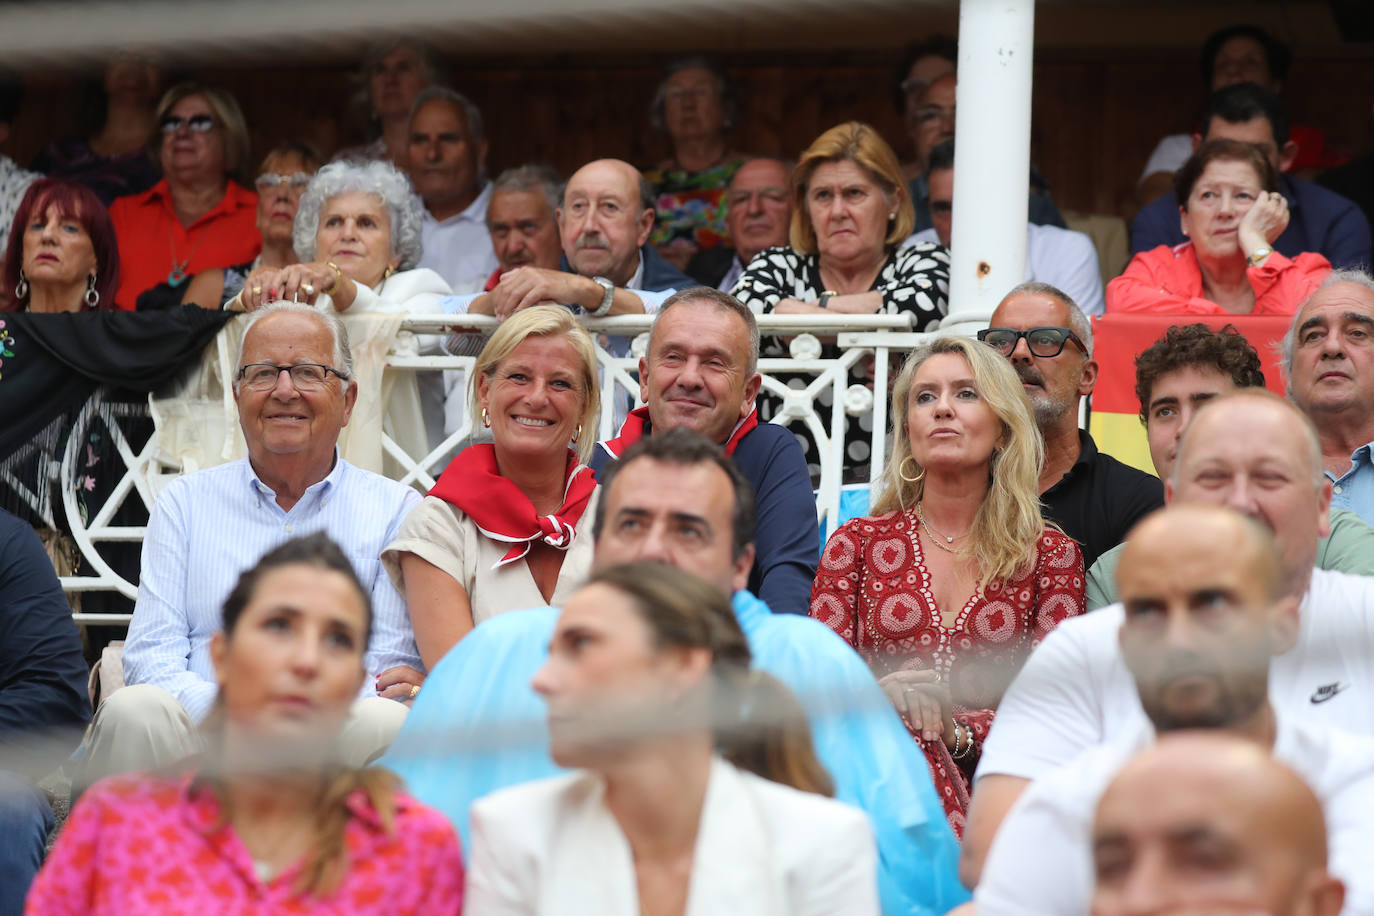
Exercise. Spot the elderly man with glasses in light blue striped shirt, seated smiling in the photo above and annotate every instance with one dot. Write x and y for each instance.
(295, 391)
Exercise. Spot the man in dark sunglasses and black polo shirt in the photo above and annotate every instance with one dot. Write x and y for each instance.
(1092, 496)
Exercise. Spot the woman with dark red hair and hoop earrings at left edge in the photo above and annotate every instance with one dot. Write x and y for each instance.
(63, 253)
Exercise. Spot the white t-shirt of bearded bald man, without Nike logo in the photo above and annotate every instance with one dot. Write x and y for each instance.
(1041, 863)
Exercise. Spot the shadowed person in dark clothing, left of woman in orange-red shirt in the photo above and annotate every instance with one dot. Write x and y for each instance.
(112, 156)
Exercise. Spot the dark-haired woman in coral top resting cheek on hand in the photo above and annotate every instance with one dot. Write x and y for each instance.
(1232, 211)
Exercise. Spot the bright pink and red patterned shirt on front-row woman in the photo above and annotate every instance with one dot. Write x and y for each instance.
(144, 847)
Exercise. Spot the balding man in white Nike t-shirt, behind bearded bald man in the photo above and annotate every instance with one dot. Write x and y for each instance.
(1258, 454)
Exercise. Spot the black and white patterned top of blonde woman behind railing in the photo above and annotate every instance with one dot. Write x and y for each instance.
(913, 279)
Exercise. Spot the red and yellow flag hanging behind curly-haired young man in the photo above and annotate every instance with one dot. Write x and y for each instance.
(1115, 415)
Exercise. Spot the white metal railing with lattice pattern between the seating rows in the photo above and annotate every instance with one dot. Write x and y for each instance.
(620, 344)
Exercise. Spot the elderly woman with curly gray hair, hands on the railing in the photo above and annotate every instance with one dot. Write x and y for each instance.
(358, 234)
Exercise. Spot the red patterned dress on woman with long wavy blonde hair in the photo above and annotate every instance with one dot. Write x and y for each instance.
(873, 588)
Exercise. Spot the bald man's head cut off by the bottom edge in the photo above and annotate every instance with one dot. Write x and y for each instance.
(1180, 830)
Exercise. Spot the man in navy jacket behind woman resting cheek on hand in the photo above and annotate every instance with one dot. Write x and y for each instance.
(1322, 220)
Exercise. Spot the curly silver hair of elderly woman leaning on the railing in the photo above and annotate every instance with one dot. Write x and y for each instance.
(381, 179)
